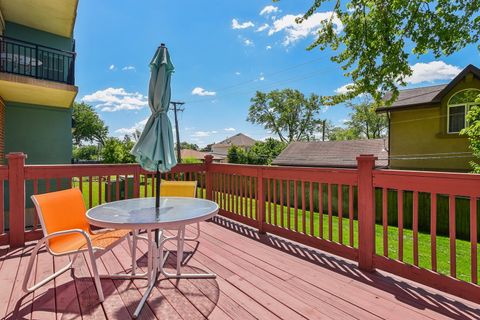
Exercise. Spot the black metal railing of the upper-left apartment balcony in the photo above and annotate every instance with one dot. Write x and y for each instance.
(37, 61)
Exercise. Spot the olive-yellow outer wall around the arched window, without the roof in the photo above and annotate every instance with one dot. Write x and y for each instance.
(422, 133)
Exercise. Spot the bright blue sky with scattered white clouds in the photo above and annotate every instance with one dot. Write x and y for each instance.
(223, 52)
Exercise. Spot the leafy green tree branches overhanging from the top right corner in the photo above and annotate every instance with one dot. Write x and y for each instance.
(373, 40)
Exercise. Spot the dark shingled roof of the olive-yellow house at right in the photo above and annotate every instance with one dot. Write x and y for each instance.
(425, 96)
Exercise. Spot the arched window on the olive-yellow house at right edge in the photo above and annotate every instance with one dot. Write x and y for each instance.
(458, 106)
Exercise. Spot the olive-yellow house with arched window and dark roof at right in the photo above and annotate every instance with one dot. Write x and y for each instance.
(425, 124)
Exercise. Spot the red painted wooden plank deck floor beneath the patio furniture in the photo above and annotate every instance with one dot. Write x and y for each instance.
(259, 277)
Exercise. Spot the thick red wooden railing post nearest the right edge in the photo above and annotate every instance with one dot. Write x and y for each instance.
(366, 212)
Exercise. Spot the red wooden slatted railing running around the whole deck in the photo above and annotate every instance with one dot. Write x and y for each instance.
(334, 210)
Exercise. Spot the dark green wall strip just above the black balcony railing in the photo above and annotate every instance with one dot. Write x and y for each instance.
(24, 33)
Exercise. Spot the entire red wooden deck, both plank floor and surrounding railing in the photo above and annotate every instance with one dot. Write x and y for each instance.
(289, 243)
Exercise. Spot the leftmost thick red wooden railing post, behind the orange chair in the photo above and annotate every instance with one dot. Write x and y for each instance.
(16, 181)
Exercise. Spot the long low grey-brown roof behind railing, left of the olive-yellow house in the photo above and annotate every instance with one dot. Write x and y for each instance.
(332, 153)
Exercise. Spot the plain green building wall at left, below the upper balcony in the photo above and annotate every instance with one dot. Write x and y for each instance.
(43, 133)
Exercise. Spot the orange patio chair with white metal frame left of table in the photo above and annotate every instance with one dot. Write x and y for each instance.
(67, 232)
